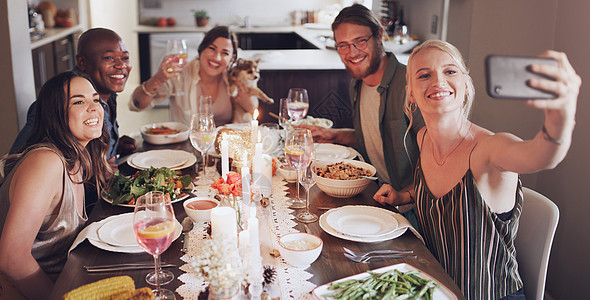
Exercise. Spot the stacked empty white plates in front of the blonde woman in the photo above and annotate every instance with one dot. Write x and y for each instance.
(365, 224)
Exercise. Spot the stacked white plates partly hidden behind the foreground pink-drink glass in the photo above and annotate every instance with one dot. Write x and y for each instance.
(116, 234)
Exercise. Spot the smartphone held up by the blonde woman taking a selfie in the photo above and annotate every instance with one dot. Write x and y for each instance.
(507, 77)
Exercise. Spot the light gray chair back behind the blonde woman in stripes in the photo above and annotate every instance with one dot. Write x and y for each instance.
(538, 222)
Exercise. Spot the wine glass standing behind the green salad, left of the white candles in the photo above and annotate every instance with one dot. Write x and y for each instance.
(202, 136)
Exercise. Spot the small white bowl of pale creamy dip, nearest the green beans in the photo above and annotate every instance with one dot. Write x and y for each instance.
(300, 249)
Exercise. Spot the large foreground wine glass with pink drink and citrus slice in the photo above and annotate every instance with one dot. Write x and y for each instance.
(153, 225)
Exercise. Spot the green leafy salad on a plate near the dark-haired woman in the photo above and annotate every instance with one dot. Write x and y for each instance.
(124, 190)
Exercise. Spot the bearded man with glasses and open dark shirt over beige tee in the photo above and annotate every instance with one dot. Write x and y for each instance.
(377, 92)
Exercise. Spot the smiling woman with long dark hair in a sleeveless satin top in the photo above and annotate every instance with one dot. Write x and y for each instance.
(42, 195)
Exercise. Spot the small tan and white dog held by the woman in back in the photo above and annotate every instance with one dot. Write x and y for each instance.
(245, 74)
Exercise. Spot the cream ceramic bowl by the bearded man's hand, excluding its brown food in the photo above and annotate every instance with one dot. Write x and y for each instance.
(344, 188)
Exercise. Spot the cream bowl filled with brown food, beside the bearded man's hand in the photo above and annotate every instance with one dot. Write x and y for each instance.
(343, 178)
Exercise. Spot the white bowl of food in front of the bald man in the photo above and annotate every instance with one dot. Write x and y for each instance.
(164, 133)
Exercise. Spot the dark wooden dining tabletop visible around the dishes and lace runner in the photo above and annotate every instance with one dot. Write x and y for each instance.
(331, 264)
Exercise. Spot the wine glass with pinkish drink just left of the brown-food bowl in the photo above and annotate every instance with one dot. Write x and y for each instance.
(298, 149)
